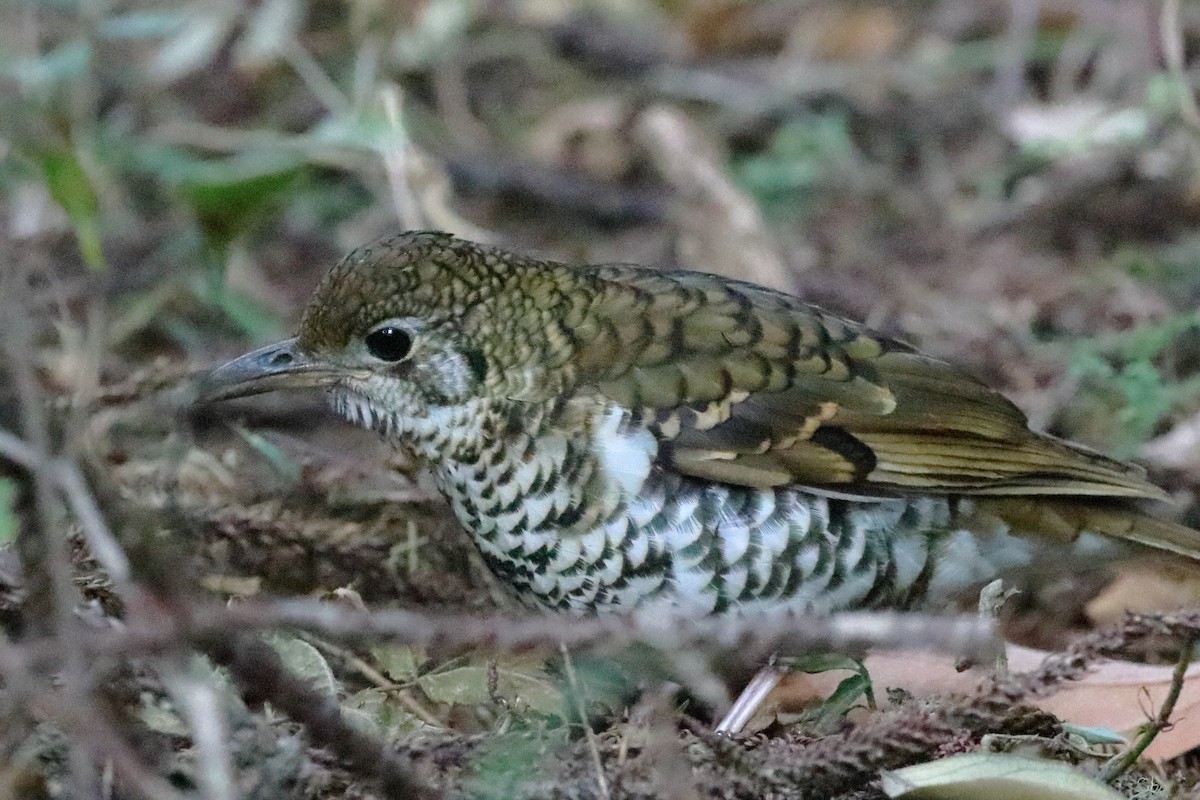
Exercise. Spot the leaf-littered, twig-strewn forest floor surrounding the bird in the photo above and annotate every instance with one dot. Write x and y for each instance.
(263, 601)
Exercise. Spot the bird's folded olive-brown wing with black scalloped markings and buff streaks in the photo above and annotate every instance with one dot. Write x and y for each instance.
(751, 387)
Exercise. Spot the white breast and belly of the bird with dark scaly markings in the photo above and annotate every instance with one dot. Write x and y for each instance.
(587, 521)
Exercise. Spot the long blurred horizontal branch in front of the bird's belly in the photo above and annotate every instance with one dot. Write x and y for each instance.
(747, 642)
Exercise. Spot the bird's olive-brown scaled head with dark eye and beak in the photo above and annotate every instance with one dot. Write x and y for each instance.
(413, 332)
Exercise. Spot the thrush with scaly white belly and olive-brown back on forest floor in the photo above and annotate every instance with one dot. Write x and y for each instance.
(617, 437)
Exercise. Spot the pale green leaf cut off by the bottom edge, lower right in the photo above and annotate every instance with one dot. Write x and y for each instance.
(994, 777)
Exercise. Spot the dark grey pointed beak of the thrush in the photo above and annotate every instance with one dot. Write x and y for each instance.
(266, 370)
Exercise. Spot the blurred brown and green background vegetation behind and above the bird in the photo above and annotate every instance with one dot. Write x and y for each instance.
(191, 169)
